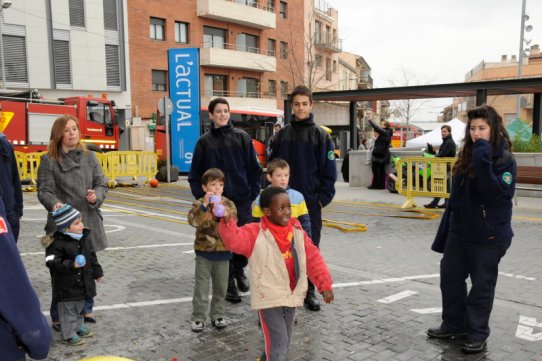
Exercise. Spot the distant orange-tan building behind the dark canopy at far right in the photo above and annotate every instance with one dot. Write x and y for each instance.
(506, 68)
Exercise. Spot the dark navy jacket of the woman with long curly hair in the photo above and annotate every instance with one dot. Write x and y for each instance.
(480, 207)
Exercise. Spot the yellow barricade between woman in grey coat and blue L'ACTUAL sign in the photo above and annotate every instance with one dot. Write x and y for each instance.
(129, 164)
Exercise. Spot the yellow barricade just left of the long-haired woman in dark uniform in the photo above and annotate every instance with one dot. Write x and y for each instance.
(425, 177)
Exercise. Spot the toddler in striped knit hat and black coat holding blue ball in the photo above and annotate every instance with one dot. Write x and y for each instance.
(74, 269)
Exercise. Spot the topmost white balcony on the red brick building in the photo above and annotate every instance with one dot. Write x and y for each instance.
(251, 15)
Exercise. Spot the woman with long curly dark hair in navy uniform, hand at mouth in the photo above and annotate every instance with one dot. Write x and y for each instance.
(475, 230)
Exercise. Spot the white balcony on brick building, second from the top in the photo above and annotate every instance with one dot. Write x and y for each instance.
(237, 57)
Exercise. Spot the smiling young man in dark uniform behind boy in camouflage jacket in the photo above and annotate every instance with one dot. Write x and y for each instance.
(230, 150)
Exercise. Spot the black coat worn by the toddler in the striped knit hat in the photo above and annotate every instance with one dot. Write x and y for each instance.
(70, 283)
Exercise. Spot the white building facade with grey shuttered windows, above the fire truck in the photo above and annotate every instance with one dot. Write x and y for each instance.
(66, 48)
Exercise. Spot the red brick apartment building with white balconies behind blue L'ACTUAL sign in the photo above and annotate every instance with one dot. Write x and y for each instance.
(246, 48)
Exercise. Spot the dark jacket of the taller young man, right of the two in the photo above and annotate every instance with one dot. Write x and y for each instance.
(308, 149)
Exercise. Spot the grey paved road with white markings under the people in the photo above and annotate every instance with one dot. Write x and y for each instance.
(386, 285)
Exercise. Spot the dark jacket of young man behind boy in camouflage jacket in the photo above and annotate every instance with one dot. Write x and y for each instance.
(230, 150)
